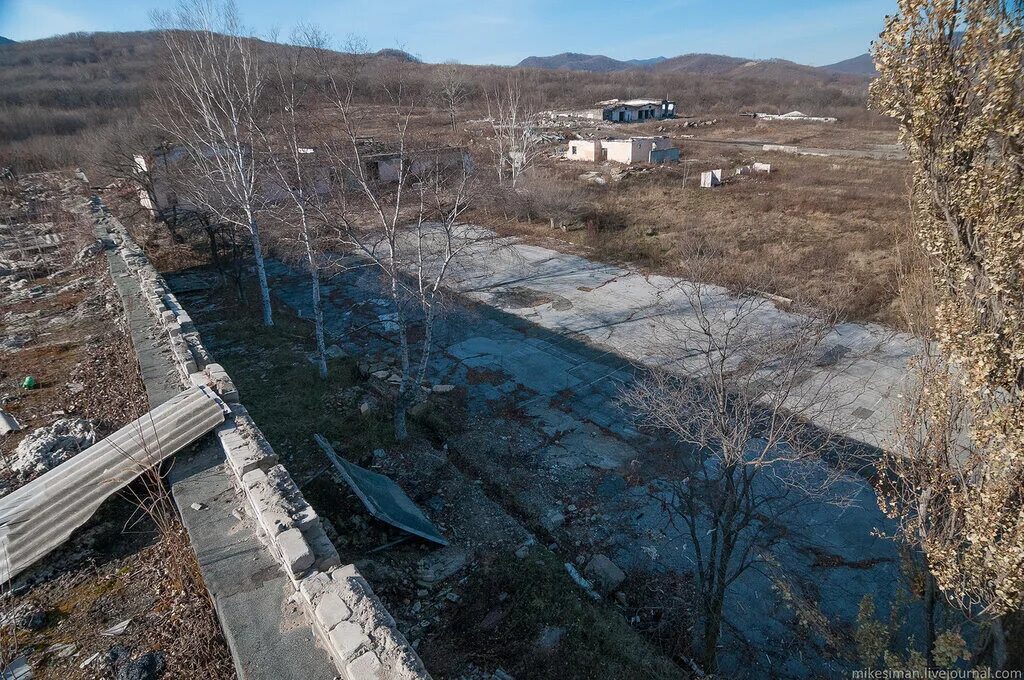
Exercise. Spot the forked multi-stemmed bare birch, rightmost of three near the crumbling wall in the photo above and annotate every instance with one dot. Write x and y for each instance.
(399, 208)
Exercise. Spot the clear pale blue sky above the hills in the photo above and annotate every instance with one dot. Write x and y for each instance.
(815, 32)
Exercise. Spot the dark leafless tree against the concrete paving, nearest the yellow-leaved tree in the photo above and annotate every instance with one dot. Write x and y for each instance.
(741, 394)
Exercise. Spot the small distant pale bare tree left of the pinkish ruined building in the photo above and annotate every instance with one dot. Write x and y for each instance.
(515, 144)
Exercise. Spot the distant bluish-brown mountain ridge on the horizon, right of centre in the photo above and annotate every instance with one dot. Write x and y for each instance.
(719, 65)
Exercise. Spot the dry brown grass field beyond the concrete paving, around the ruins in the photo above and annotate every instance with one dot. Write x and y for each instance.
(823, 231)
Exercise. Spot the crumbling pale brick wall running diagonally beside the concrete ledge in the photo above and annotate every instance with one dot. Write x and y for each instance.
(347, 617)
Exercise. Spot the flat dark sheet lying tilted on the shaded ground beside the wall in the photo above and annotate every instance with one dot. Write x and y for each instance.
(383, 498)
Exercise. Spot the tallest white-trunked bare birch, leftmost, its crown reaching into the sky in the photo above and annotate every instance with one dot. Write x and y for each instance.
(214, 107)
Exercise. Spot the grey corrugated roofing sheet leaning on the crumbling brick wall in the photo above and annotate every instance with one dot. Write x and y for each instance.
(39, 517)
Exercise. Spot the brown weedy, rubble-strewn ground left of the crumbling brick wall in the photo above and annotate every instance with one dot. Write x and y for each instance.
(68, 334)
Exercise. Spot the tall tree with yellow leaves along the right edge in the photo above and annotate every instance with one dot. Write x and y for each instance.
(952, 74)
